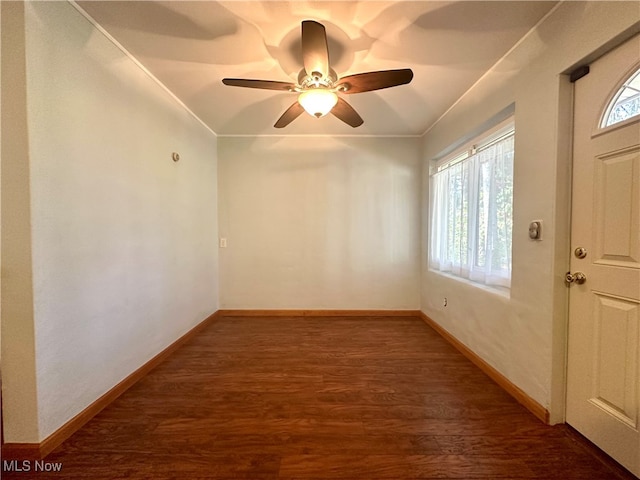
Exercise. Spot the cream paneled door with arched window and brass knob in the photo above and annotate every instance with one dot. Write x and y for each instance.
(603, 385)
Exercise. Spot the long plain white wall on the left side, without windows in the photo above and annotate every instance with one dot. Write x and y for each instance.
(122, 239)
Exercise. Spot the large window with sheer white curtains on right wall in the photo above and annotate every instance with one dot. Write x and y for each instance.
(471, 210)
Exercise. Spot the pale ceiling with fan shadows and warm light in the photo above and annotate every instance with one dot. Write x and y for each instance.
(191, 46)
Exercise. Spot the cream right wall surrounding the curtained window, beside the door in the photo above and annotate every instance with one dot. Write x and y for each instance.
(524, 336)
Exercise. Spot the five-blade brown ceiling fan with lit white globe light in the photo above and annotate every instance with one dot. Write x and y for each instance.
(318, 85)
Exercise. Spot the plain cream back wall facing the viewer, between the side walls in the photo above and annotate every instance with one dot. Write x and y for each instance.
(319, 222)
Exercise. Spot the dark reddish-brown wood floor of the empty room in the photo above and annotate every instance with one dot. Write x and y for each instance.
(321, 398)
